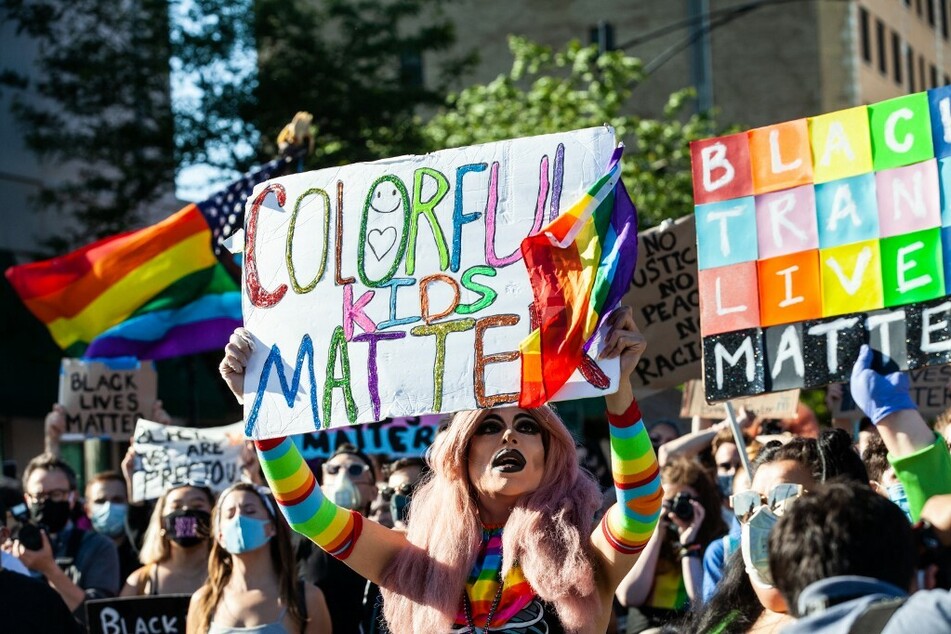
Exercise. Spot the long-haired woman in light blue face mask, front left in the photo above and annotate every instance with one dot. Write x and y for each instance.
(252, 585)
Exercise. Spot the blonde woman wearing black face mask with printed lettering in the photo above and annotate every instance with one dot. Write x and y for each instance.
(175, 549)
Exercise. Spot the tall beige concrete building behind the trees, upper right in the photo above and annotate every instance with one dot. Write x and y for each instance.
(756, 61)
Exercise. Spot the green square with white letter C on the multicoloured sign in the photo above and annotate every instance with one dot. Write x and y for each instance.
(901, 131)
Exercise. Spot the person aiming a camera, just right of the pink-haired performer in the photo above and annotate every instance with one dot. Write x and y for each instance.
(667, 578)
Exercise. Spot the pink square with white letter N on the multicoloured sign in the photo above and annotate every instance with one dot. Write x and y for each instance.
(908, 199)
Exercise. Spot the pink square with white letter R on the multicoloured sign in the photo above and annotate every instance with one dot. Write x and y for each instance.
(786, 222)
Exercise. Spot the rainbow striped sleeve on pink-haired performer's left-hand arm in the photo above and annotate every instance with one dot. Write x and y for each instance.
(308, 512)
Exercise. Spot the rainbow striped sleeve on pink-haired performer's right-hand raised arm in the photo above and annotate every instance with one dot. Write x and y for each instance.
(629, 524)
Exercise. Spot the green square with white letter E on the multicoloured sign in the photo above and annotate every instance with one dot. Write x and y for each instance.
(912, 269)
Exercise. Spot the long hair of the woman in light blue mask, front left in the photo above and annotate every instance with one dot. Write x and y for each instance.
(220, 566)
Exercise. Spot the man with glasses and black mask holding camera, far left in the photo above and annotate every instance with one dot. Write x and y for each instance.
(78, 564)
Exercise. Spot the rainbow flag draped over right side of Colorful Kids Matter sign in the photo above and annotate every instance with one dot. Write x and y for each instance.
(580, 266)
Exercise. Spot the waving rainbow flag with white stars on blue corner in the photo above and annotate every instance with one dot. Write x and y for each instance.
(155, 293)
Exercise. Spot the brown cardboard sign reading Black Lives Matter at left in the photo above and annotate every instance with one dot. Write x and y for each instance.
(106, 397)
